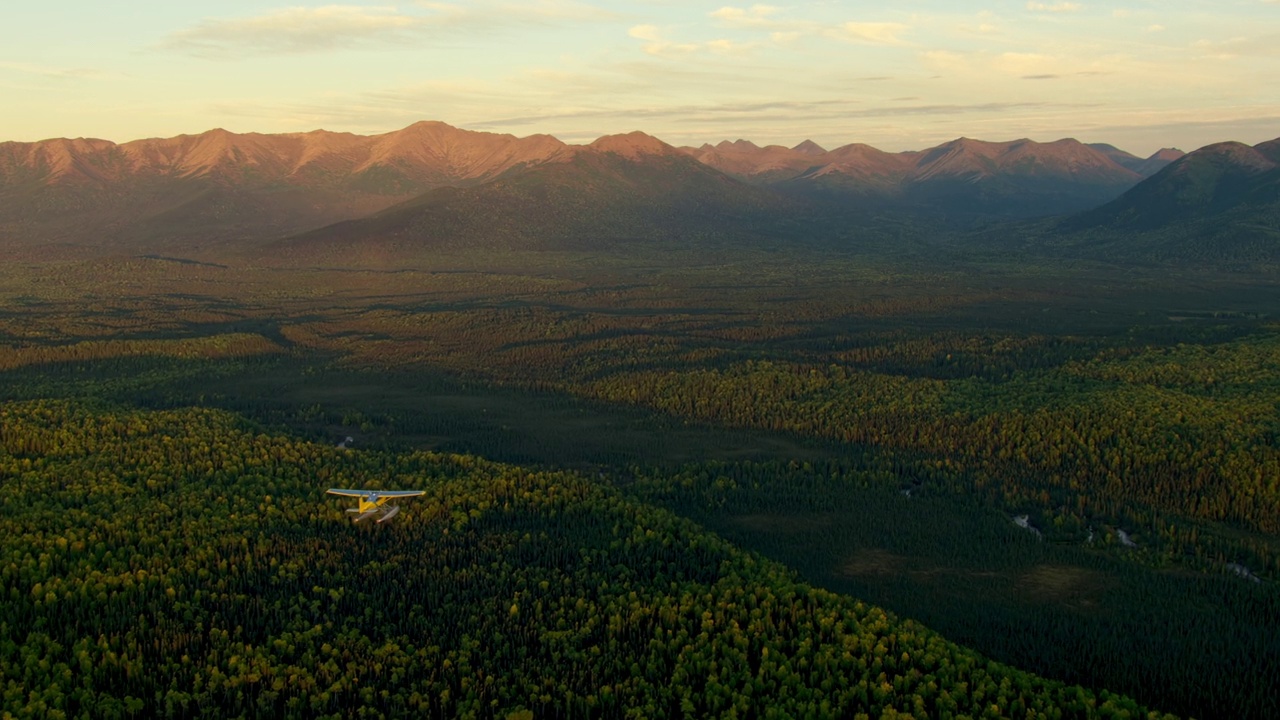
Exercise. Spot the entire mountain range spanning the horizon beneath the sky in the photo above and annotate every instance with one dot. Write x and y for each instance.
(437, 186)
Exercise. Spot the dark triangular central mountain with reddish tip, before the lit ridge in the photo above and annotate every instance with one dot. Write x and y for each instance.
(619, 190)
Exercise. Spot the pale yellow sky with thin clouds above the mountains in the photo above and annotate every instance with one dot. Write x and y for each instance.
(899, 76)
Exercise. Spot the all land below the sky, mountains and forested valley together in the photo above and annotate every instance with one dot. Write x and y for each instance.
(710, 432)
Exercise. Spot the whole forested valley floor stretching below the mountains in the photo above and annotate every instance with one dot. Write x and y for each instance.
(639, 477)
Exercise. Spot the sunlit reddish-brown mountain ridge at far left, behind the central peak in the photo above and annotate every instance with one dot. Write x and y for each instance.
(220, 185)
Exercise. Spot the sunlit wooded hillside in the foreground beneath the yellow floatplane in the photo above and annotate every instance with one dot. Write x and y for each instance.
(182, 564)
